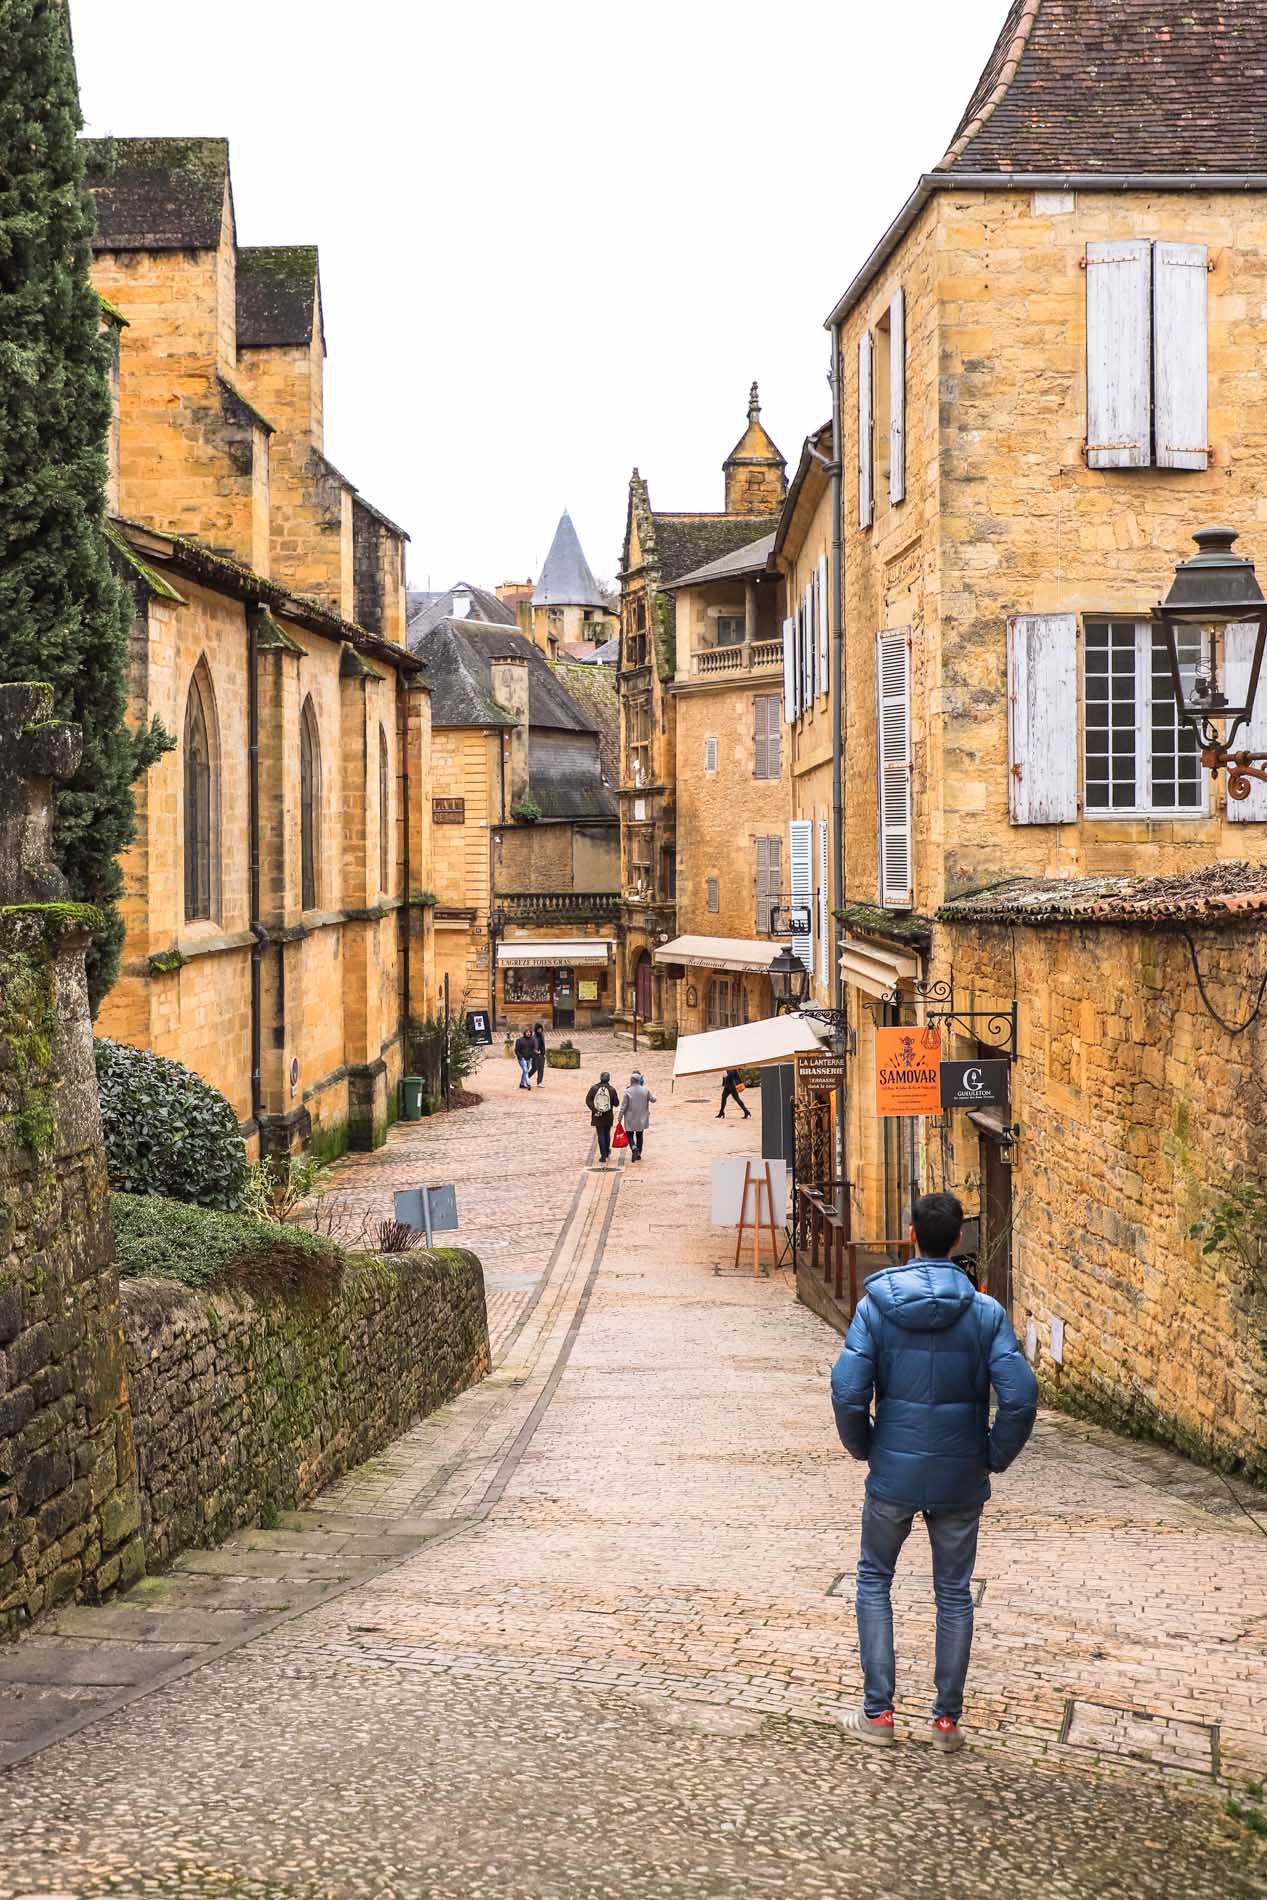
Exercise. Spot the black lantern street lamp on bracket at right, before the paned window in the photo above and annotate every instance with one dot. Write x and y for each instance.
(1213, 592)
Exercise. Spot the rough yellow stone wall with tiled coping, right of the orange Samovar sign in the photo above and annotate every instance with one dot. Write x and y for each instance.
(1135, 1109)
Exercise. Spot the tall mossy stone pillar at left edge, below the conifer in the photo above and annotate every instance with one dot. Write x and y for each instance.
(69, 1513)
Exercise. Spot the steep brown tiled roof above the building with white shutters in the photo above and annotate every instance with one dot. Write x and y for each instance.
(1160, 86)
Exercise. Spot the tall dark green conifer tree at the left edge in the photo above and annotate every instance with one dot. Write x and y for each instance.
(64, 617)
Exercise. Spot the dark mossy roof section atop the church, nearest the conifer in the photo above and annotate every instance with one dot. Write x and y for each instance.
(157, 195)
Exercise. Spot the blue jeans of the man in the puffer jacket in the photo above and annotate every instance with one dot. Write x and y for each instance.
(953, 1536)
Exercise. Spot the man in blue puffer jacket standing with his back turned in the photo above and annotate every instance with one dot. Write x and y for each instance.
(928, 1346)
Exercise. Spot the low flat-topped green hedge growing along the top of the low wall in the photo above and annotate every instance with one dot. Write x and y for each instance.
(206, 1247)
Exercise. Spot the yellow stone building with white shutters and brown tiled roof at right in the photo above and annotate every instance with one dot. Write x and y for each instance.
(1050, 375)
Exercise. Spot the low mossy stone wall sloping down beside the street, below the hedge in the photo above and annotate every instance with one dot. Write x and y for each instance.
(244, 1407)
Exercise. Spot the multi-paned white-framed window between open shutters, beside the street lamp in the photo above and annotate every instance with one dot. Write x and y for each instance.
(1139, 759)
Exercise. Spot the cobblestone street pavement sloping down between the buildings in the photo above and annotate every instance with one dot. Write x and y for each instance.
(586, 1631)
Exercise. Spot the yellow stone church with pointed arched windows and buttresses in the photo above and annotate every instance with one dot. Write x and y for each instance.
(274, 934)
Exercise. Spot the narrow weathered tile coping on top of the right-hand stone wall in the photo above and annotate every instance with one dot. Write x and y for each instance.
(1219, 894)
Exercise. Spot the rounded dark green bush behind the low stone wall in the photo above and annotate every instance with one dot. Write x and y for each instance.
(168, 1131)
